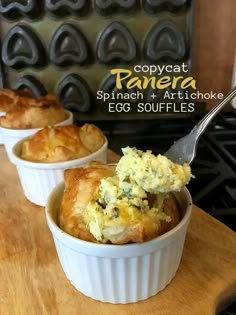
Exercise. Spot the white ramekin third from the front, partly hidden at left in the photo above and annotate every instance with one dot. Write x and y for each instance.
(12, 136)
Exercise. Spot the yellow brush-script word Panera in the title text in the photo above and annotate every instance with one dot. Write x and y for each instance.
(125, 78)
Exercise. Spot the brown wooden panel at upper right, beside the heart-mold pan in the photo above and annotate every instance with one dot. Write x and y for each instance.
(214, 51)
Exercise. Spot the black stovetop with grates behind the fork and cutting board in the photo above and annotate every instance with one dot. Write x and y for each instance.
(214, 188)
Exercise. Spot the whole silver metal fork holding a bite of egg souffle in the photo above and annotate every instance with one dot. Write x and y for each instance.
(184, 149)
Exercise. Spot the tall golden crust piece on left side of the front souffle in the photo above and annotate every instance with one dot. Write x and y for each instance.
(80, 186)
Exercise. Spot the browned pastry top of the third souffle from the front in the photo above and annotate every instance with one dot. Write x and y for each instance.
(34, 113)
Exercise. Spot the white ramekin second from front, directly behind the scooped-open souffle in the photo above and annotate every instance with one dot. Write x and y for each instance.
(38, 179)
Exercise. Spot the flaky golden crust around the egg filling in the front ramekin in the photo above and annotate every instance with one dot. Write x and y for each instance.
(81, 185)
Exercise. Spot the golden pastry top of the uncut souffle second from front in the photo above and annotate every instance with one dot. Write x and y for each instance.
(62, 143)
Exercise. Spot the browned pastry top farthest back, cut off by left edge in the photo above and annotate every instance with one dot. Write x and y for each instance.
(9, 98)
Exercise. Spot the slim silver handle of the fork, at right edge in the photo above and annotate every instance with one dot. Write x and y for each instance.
(204, 122)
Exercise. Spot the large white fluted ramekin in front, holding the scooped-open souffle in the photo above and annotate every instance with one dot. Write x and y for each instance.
(119, 273)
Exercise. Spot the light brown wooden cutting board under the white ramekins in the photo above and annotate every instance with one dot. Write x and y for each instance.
(32, 281)
